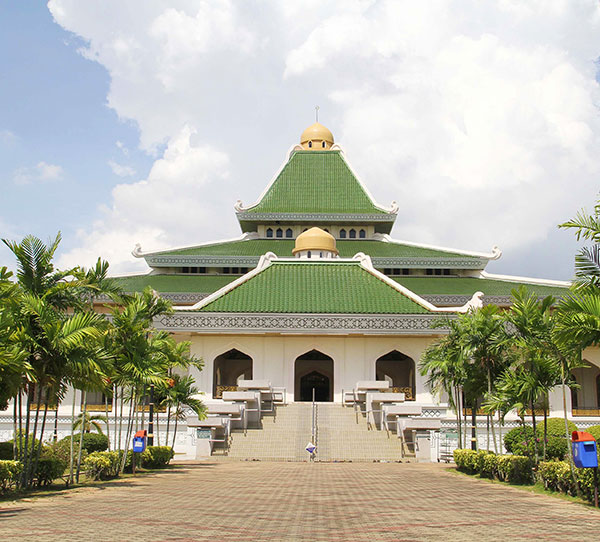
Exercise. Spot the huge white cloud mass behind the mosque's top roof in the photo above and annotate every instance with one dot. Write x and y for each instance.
(480, 118)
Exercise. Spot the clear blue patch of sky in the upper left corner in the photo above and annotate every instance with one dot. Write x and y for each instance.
(54, 111)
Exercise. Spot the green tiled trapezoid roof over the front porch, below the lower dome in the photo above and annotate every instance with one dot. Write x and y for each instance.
(303, 287)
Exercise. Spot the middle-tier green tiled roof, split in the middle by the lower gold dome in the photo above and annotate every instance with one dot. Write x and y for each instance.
(347, 248)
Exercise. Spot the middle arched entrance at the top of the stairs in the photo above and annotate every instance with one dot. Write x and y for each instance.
(313, 370)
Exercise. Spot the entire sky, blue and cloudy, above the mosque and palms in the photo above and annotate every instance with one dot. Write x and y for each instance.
(126, 122)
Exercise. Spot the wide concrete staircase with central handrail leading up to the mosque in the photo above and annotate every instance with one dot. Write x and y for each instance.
(283, 437)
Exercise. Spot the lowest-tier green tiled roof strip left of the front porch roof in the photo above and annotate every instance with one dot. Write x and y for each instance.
(175, 283)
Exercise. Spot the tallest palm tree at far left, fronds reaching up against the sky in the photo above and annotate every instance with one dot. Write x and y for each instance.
(52, 329)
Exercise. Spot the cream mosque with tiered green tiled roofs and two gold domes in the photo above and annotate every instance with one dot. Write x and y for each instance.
(315, 293)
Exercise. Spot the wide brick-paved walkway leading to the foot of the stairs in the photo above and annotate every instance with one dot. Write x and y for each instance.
(245, 501)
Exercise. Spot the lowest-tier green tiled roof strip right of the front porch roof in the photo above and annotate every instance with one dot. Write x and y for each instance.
(469, 285)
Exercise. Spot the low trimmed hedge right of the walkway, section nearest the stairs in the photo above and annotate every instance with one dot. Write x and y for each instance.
(515, 469)
